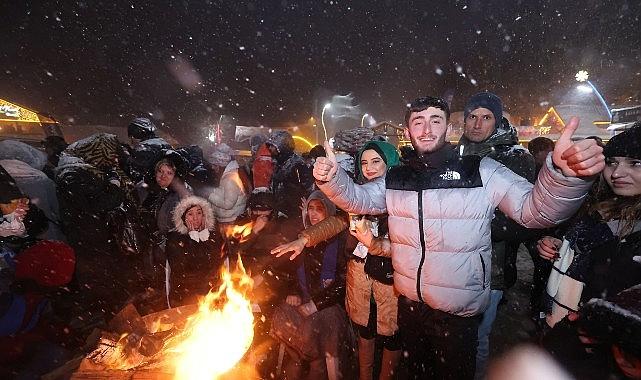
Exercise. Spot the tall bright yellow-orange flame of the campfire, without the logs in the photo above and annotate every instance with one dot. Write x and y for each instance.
(217, 336)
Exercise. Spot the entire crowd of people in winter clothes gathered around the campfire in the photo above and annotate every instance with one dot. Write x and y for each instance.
(366, 262)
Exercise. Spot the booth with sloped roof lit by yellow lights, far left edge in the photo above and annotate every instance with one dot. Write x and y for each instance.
(20, 123)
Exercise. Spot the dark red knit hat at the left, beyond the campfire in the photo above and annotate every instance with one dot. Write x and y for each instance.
(48, 263)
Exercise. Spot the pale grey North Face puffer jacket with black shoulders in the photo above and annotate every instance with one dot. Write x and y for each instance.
(439, 222)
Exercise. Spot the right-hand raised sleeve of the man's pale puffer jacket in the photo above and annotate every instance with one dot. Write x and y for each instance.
(551, 200)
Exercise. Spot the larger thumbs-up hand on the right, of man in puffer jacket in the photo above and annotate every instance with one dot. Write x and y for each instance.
(583, 158)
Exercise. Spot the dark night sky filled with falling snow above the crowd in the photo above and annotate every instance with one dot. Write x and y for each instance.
(272, 62)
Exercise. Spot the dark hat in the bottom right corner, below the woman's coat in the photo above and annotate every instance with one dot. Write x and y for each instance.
(616, 320)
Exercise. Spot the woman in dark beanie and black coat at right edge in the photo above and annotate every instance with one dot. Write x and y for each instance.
(599, 256)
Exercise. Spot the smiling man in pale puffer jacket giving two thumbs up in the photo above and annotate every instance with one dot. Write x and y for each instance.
(440, 207)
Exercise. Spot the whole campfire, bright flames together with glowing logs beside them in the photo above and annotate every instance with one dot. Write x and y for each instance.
(192, 343)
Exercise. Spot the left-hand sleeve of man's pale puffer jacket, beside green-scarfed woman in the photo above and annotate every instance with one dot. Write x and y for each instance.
(366, 199)
